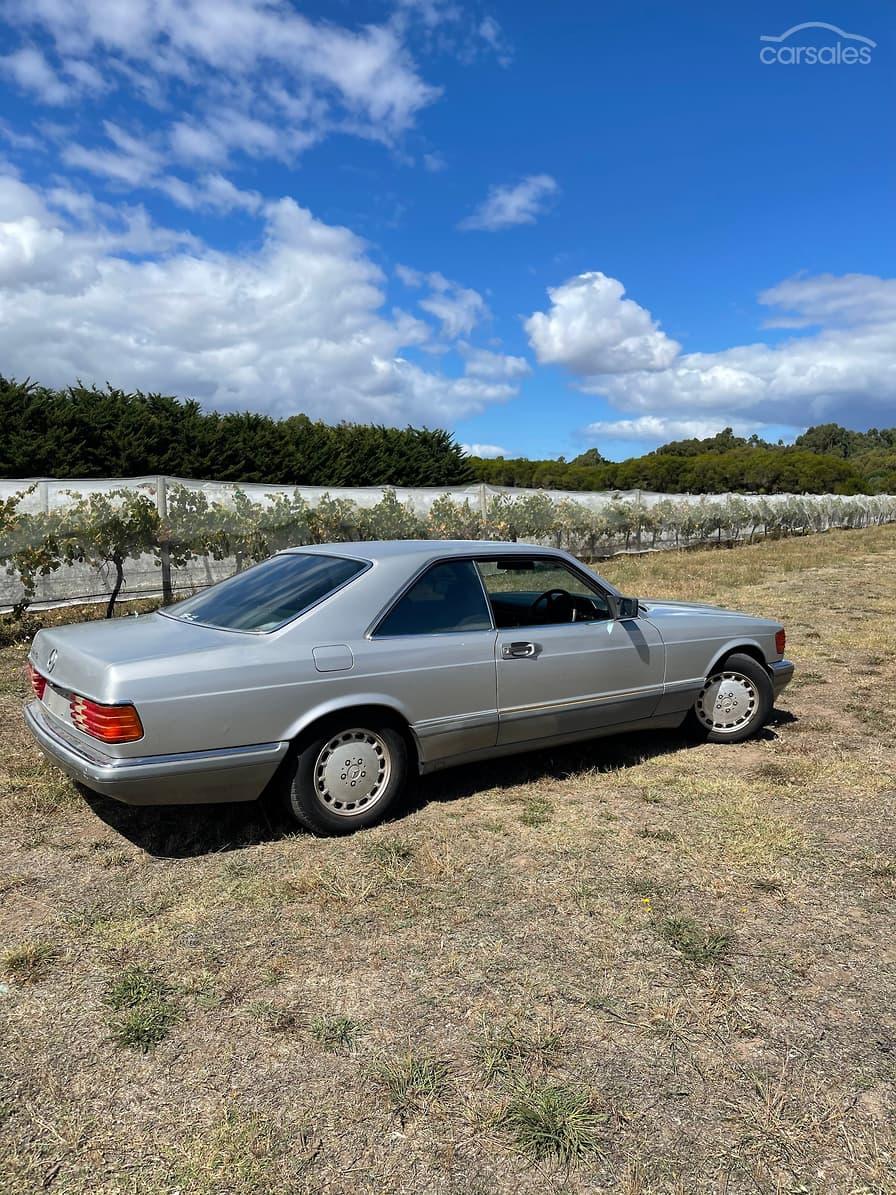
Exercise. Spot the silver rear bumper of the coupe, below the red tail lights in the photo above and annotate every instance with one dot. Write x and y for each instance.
(232, 774)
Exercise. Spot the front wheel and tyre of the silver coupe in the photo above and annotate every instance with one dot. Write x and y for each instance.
(735, 702)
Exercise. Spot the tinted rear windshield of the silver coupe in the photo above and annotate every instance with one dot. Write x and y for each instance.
(271, 595)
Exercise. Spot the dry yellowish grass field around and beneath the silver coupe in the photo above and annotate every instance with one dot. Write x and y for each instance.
(639, 966)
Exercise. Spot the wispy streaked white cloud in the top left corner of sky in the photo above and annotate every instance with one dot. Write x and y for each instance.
(231, 77)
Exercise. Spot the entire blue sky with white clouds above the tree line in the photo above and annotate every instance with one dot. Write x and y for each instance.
(544, 226)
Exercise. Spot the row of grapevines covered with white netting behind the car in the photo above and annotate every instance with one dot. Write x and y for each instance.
(179, 536)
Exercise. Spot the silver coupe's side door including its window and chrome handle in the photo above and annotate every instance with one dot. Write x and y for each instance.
(567, 669)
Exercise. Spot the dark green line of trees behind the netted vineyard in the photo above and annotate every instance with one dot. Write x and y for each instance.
(84, 432)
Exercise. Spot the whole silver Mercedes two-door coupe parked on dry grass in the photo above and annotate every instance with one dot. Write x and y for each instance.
(328, 675)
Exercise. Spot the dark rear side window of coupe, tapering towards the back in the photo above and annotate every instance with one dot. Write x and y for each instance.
(447, 598)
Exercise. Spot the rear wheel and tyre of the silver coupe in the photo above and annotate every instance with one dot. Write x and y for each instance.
(347, 776)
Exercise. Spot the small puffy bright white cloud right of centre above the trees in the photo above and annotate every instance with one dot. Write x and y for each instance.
(593, 329)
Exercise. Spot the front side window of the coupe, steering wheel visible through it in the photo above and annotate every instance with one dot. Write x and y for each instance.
(539, 592)
